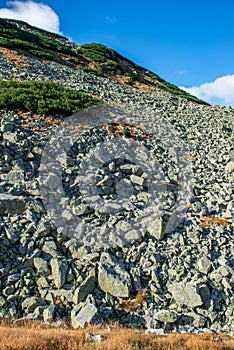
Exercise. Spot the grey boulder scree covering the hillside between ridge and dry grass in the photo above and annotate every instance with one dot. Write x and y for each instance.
(165, 280)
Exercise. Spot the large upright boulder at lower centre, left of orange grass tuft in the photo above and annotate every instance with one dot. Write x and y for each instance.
(112, 277)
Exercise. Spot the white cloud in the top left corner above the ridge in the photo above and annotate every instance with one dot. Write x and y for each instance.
(36, 14)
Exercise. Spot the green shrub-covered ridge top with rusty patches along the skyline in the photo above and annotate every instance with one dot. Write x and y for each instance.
(92, 58)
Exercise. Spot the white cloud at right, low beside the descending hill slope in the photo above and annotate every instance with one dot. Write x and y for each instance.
(219, 91)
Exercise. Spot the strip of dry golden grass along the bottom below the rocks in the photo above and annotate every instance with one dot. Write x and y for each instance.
(40, 337)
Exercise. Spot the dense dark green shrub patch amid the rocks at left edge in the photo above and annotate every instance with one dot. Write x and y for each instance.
(43, 97)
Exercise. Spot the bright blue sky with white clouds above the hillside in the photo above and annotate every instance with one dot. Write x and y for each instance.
(189, 43)
